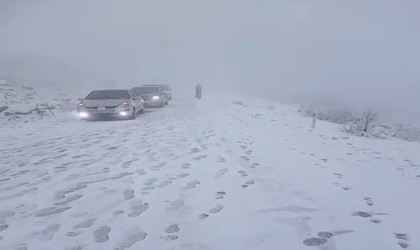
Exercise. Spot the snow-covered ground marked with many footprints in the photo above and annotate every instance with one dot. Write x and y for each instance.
(223, 173)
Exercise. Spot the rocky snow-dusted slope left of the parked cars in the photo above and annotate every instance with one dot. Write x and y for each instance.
(24, 103)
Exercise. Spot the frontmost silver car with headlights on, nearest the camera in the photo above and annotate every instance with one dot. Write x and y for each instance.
(110, 104)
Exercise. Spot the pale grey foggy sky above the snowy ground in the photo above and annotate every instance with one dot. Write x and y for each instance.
(355, 51)
